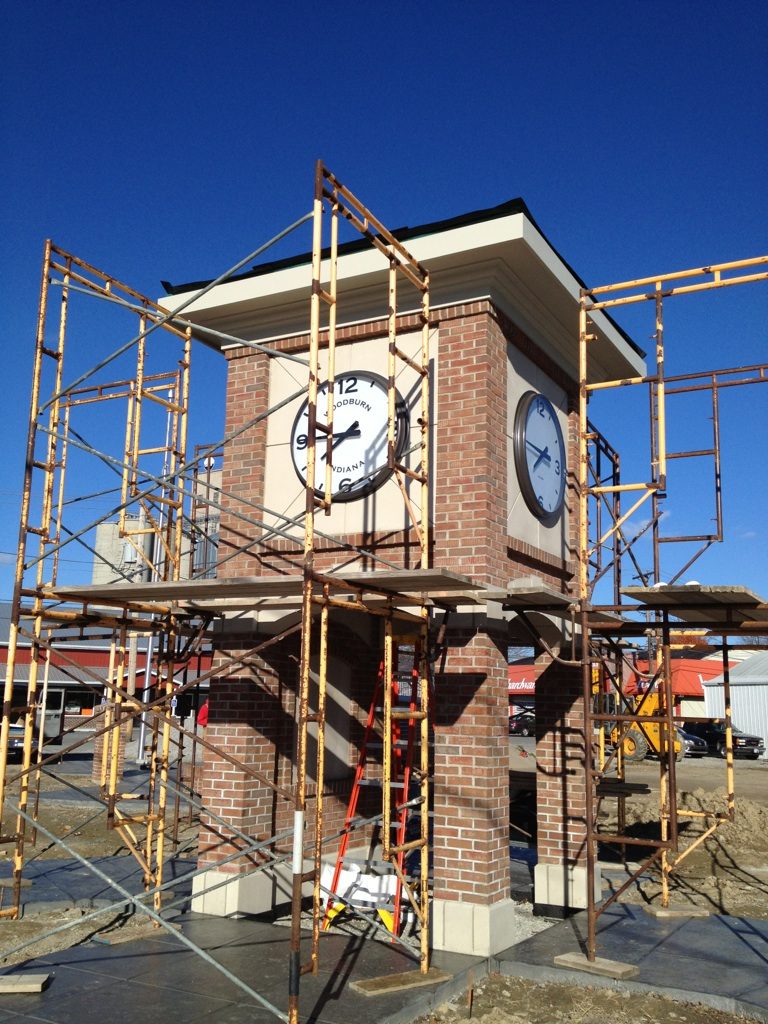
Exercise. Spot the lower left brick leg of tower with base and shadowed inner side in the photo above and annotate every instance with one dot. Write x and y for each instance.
(252, 717)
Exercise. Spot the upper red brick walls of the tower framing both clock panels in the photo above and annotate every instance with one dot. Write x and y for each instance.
(468, 457)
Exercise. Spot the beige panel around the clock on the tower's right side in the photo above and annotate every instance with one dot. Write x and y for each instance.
(523, 376)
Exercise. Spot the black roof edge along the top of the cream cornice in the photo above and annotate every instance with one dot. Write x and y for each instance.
(507, 209)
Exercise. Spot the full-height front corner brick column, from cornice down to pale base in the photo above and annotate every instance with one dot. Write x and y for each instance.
(472, 778)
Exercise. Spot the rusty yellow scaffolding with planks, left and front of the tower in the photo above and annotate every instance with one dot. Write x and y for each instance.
(167, 508)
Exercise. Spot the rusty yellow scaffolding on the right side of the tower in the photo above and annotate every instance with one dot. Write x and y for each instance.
(653, 611)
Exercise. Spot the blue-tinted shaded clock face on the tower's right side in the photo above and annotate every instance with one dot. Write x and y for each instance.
(540, 456)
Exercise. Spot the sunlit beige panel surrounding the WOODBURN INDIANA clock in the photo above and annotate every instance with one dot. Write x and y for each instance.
(284, 493)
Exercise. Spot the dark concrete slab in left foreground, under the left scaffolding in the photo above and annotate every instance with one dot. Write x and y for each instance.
(159, 980)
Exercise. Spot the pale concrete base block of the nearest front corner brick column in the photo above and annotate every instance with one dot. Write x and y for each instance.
(480, 930)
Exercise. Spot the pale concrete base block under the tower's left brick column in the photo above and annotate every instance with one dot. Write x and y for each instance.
(259, 893)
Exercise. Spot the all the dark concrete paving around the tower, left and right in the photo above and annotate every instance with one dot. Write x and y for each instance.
(719, 962)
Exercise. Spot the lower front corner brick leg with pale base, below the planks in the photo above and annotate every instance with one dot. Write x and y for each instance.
(472, 793)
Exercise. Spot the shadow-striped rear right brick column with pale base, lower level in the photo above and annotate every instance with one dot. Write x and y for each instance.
(561, 877)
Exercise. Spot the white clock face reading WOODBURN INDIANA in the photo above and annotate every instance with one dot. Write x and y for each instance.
(360, 438)
